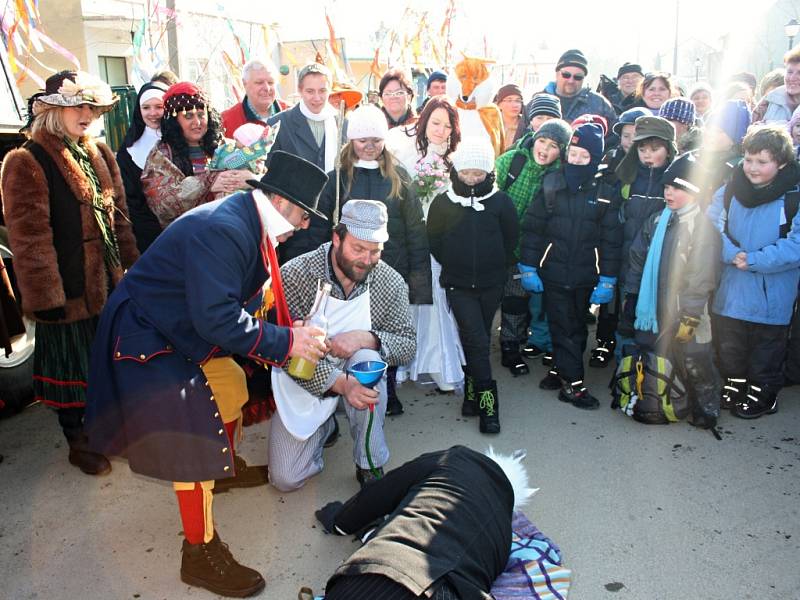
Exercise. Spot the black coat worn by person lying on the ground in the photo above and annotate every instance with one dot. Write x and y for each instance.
(449, 517)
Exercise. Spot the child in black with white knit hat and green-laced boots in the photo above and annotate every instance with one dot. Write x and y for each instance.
(472, 232)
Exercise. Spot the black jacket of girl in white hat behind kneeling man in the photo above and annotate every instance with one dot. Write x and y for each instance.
(406, 251)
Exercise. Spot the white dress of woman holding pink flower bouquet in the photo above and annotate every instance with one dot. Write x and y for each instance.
(439, 352)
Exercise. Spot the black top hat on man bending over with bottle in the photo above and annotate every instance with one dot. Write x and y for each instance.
(293, 178)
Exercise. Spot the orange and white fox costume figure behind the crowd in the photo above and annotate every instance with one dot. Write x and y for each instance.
(472, 91)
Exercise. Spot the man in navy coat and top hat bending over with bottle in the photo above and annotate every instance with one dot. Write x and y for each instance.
(164, 389)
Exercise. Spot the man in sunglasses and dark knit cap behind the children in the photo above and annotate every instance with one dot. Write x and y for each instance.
(577, 100)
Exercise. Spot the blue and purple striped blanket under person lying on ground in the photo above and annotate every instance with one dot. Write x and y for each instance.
(534, 570)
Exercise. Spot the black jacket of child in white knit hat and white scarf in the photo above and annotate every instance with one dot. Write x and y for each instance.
(474, 247)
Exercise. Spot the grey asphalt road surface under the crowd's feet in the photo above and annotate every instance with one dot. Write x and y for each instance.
(640, 512)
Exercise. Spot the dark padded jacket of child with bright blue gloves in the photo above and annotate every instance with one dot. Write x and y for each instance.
(571, 238)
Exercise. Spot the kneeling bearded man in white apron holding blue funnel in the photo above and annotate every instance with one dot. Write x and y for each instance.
(368, 319)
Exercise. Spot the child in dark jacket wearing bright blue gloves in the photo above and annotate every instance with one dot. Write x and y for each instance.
(571, 249)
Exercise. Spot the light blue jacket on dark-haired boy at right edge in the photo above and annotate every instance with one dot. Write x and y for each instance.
(767, 290)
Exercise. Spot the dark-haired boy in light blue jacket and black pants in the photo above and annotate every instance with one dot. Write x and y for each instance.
(757, 215)
